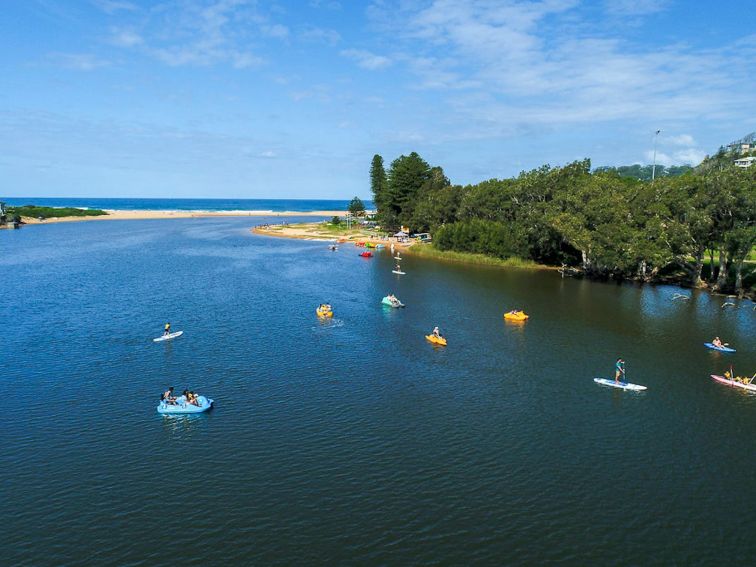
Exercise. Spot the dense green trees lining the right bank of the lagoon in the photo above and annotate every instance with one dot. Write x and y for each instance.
(606, 224)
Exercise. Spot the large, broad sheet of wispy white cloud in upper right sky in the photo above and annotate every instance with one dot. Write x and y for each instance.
(501, 65)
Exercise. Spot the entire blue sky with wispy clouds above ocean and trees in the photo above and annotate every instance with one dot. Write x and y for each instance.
(244, 98)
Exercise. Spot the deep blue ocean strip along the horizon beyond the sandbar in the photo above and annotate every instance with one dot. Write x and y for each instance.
(130, 204)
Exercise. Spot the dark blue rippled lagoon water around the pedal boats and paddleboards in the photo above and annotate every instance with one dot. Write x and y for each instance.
(356, 441)
